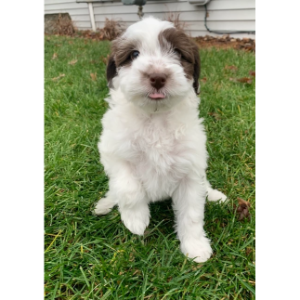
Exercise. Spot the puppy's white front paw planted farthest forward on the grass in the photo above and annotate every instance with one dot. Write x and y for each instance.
(199, 250)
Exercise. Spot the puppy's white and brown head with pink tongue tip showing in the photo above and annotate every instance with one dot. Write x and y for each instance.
(154, 64)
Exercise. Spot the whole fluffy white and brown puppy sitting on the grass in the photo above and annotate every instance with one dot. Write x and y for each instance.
(153, 143)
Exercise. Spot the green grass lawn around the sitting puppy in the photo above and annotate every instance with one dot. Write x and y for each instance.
(86, 257)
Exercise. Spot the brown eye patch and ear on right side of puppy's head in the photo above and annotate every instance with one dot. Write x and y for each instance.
(176, 40)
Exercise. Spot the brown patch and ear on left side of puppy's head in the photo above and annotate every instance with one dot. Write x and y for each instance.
(120, 56)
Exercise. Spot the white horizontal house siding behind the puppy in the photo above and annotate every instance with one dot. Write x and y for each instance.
(229, 15)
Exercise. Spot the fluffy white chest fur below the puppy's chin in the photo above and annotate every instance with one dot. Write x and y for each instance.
(161, 148)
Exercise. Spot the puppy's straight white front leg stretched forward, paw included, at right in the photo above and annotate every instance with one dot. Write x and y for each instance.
(189, 201)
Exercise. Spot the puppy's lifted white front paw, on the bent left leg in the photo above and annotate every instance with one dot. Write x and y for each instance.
(136, 221)
